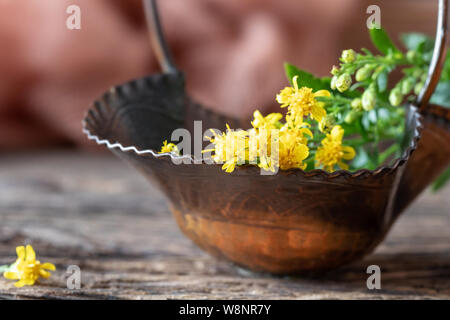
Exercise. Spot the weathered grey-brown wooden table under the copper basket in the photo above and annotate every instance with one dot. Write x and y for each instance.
(97, 213)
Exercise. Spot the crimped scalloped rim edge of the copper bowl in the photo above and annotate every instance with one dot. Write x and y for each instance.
(315, 172)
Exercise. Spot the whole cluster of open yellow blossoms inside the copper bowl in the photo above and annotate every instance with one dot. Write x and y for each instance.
(271, 144)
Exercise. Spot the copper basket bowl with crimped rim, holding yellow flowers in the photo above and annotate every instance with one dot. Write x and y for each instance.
(291, 222)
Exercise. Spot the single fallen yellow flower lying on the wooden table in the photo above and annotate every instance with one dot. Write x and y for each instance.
(27, 269)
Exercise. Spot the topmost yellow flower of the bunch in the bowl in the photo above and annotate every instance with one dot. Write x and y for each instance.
(302, 102)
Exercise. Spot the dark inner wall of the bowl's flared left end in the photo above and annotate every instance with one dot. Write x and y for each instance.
(143, 113)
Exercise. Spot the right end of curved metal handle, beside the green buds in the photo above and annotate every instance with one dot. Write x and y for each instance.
(438, 59)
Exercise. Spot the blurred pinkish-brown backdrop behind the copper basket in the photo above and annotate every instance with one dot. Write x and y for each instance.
(231, 50)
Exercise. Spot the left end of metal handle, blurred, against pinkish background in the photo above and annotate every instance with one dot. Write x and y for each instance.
(157, 38)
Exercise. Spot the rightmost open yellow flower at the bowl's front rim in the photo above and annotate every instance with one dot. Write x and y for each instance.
(332, 151)
